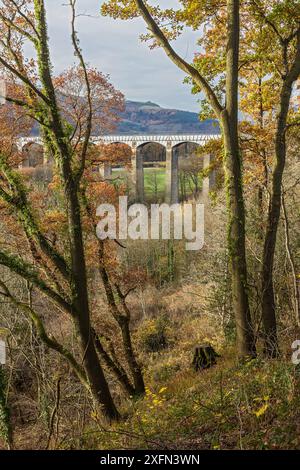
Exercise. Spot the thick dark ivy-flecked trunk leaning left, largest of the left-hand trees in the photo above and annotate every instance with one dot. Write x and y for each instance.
(78, 282)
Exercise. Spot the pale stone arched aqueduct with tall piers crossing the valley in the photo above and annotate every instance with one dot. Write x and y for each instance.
(170, 143)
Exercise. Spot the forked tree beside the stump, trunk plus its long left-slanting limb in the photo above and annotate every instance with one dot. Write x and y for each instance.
(229, 121)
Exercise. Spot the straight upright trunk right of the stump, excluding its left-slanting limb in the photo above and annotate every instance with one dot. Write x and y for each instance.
(234, 188)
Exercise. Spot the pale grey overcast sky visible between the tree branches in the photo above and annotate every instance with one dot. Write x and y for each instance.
(113, 47)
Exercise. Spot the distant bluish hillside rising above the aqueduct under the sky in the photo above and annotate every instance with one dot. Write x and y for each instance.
(150, 118)
